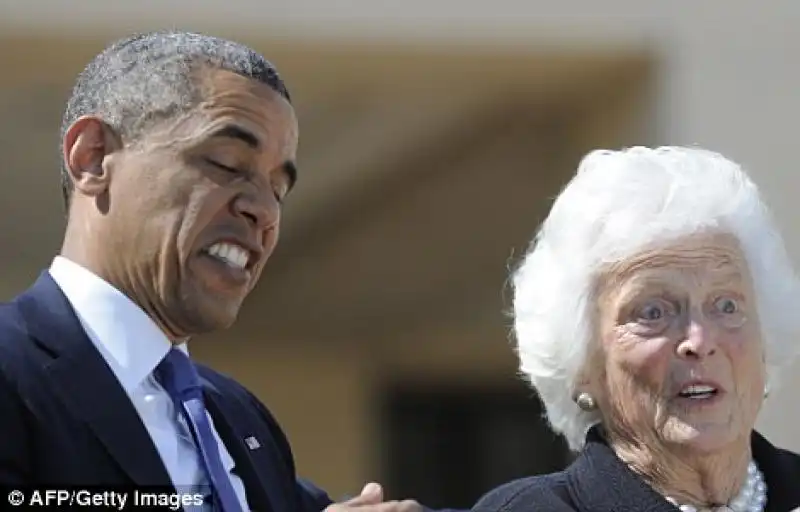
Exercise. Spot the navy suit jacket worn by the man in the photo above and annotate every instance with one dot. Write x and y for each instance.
(65, 420)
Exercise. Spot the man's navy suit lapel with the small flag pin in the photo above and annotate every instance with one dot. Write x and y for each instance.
(256, 464)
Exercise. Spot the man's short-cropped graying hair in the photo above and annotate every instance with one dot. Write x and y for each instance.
(147, 78)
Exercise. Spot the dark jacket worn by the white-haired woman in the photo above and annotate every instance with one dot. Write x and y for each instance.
(597, 481)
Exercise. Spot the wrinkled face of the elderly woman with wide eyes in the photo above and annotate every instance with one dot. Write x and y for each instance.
(681, 339)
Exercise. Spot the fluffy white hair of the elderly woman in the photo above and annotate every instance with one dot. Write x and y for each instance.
(619, 203)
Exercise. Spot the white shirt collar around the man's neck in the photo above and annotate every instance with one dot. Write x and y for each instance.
(127, 338)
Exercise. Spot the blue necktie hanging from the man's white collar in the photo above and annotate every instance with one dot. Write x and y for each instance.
(178, 375)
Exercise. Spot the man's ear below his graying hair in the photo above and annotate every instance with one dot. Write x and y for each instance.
(86, 144)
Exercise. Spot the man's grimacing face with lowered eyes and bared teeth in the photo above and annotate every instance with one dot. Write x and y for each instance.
(194, 206)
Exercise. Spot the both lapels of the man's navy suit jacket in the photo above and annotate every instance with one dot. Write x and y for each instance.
(86, 384)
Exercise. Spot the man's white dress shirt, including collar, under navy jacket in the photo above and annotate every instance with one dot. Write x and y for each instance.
(133, 345)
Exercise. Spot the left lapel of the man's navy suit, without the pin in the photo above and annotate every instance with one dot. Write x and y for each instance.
(88, 387)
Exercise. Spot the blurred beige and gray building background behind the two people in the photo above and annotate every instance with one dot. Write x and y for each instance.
(433, 136)
